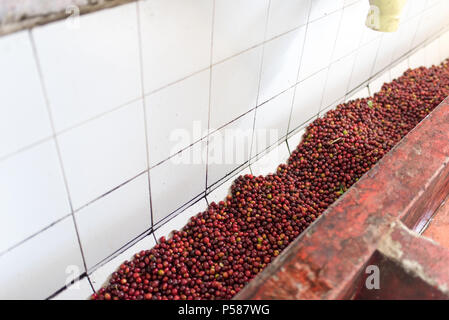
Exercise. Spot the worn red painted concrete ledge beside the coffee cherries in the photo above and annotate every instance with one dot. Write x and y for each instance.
(376, 222)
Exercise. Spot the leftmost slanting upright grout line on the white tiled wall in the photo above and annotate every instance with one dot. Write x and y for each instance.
(58, 150)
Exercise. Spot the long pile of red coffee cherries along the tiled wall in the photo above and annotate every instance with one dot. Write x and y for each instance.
(221, 249)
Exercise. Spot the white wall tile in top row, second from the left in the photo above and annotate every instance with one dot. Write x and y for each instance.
(94, 68)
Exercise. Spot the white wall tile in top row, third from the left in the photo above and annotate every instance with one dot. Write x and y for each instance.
(176, 39)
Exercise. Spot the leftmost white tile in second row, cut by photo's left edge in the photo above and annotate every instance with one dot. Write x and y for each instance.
(32, 193)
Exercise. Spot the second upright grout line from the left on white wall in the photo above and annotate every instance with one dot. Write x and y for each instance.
(142, 83)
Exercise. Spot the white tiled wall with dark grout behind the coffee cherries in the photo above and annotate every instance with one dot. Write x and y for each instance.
(114, 133)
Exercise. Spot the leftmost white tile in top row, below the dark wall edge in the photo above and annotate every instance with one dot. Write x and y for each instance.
(24, 118)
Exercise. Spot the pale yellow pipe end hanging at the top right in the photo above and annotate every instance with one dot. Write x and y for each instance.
(384, 15)
